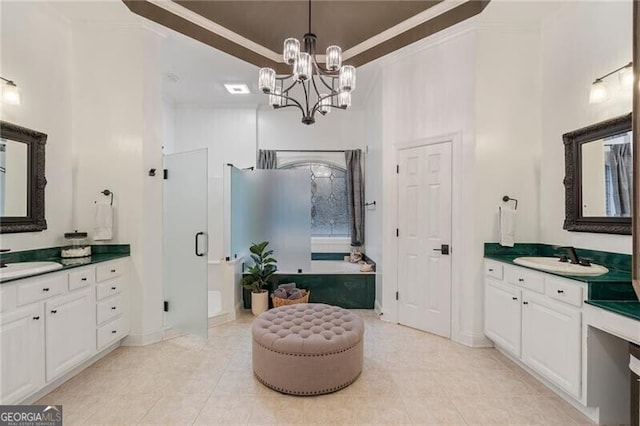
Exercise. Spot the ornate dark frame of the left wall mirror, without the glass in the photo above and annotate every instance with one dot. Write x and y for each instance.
(36, 181)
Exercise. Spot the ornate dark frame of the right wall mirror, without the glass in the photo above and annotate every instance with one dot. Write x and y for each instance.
(574, 221)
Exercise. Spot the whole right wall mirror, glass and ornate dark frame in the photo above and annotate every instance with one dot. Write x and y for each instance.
(598, 177)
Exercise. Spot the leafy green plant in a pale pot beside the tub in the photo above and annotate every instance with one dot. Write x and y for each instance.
(257, 276)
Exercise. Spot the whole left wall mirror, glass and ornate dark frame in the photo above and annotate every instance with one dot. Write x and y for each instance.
(22, 179)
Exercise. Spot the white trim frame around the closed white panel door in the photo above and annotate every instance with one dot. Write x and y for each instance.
(455, 139)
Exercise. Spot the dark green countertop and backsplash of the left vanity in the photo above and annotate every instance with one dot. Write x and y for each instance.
(99, 253)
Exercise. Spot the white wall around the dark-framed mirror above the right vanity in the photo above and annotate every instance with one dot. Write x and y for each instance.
(583, 41)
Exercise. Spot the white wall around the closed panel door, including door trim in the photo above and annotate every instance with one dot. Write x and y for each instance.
(428, 91)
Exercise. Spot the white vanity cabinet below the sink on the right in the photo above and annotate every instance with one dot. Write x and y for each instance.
(536, 317)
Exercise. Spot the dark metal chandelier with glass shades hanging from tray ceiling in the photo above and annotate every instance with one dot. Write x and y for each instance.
(324, 88)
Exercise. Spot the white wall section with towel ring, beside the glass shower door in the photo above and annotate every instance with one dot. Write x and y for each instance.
(117, 138)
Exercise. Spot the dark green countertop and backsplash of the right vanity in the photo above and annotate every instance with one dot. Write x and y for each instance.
(612, 291)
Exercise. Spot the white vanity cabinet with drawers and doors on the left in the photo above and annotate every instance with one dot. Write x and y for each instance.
(49, 325)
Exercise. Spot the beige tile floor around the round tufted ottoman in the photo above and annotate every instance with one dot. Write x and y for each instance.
(409, 377)
